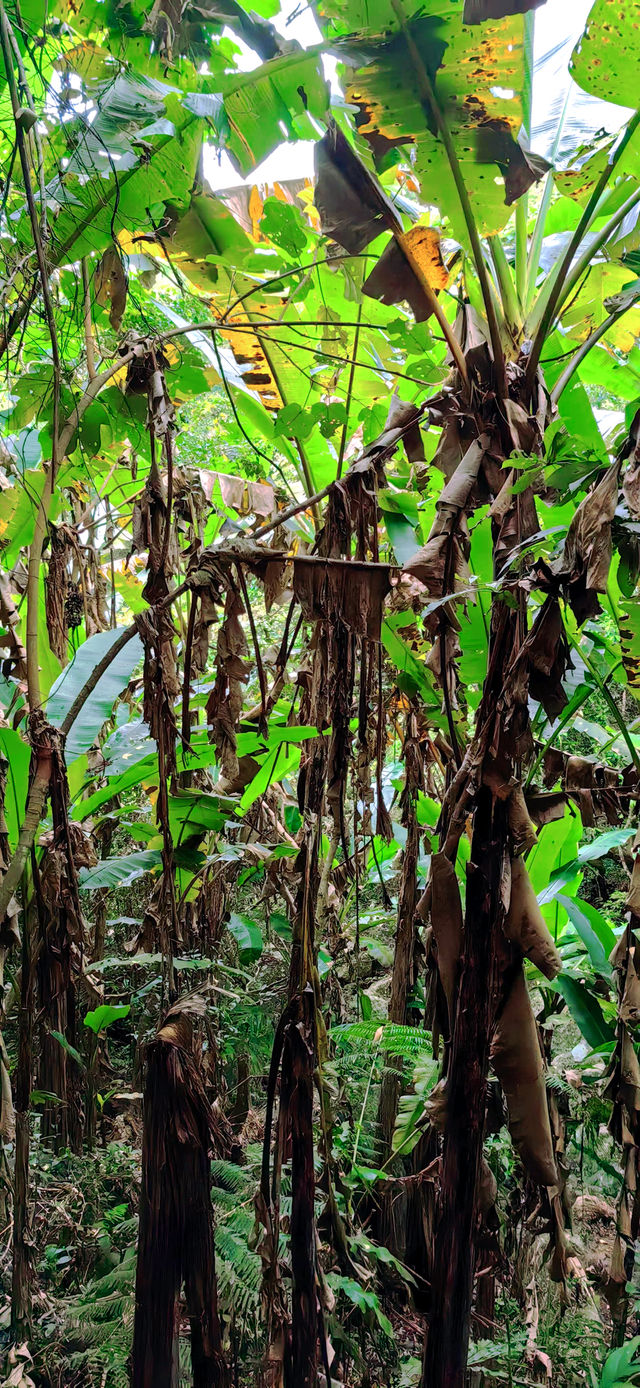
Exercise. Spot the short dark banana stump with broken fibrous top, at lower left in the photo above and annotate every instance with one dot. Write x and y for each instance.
(177, 1219)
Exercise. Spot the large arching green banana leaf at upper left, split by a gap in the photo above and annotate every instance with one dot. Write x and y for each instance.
(135, 164)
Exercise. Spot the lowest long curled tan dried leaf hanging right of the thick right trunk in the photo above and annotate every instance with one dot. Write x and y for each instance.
(519, 1064)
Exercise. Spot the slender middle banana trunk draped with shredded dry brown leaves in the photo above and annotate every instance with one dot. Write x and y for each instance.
(344, 598)
